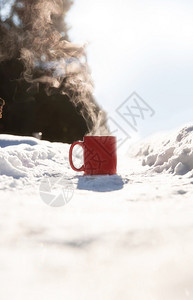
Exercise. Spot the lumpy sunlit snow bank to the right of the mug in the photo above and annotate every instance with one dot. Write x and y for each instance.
(170, 152)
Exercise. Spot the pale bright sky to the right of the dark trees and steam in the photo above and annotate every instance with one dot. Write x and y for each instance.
(139, 45)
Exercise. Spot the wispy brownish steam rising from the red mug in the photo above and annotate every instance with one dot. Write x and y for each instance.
(49, 58)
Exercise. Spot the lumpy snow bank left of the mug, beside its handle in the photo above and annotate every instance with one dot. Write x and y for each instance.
(29, 157)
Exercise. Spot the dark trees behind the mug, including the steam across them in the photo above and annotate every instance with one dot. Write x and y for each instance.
(44, 78)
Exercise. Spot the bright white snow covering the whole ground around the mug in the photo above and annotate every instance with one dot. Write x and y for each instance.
(128, 236)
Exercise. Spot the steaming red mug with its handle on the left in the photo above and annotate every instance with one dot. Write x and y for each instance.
(100, 157)
